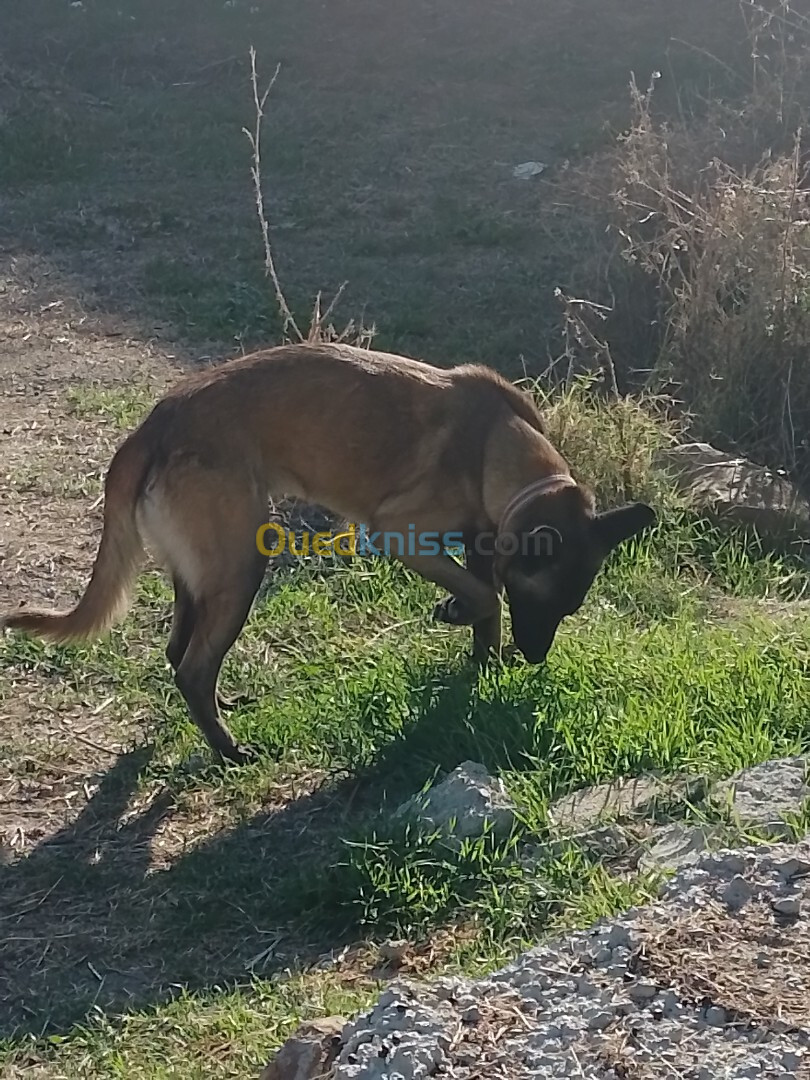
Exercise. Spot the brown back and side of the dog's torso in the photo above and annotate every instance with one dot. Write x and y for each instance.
(336, 425)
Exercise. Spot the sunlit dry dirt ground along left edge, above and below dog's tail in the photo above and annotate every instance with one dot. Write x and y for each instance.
(53, 461)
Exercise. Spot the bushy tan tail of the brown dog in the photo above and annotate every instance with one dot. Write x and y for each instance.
(118, 561)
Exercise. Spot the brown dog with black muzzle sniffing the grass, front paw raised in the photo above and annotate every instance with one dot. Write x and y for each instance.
(404, 448)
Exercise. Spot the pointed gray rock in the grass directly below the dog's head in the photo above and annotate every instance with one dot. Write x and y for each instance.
(464, 804)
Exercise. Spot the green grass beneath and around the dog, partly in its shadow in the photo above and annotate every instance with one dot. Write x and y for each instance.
(354, 684)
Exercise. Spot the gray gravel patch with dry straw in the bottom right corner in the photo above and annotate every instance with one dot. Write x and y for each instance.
(710, 981)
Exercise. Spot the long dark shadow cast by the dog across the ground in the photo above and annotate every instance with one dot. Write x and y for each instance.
(91, 920)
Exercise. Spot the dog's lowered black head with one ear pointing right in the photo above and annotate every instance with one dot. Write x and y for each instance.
(548, 555)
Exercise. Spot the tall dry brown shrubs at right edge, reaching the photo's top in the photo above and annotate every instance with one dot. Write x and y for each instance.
(706, 289)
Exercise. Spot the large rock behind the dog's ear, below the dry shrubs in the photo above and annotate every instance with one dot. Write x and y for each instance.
(724, 485)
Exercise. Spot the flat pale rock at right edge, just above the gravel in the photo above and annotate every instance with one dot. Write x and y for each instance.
(765, 795)
